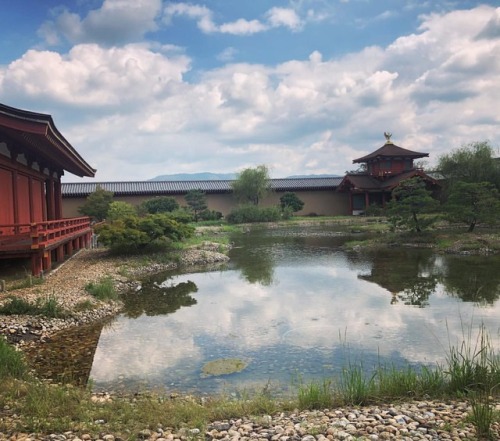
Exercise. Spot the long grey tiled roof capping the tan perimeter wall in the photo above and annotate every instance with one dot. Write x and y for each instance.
(83, 189)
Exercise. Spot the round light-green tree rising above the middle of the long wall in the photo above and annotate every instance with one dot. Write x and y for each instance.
(252, 185)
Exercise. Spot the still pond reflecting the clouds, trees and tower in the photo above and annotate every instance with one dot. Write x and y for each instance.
(291, 306)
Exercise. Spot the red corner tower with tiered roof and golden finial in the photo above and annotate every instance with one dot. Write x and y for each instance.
(383, 170)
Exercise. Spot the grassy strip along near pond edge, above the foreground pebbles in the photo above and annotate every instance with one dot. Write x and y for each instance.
(471, 372)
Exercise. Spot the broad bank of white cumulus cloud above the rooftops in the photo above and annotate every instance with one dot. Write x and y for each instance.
(435, 90)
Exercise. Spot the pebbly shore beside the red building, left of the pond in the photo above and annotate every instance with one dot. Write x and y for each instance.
(67, 282)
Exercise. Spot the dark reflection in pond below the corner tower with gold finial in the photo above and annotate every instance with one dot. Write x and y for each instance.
(407, 274)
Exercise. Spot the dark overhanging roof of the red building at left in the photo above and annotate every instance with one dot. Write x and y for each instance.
(38, 135)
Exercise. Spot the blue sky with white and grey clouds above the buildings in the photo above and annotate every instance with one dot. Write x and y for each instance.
(143, 88)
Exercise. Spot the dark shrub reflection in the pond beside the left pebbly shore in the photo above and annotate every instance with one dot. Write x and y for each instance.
(157, 298)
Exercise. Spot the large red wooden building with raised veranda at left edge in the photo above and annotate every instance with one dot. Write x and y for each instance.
(33, 157)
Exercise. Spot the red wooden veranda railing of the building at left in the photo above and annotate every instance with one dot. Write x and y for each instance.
(40, 235)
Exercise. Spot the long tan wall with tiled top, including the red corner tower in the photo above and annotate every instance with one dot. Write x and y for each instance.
(385, 169)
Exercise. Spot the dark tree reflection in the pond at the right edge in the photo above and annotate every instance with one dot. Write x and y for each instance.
(473, 279)
